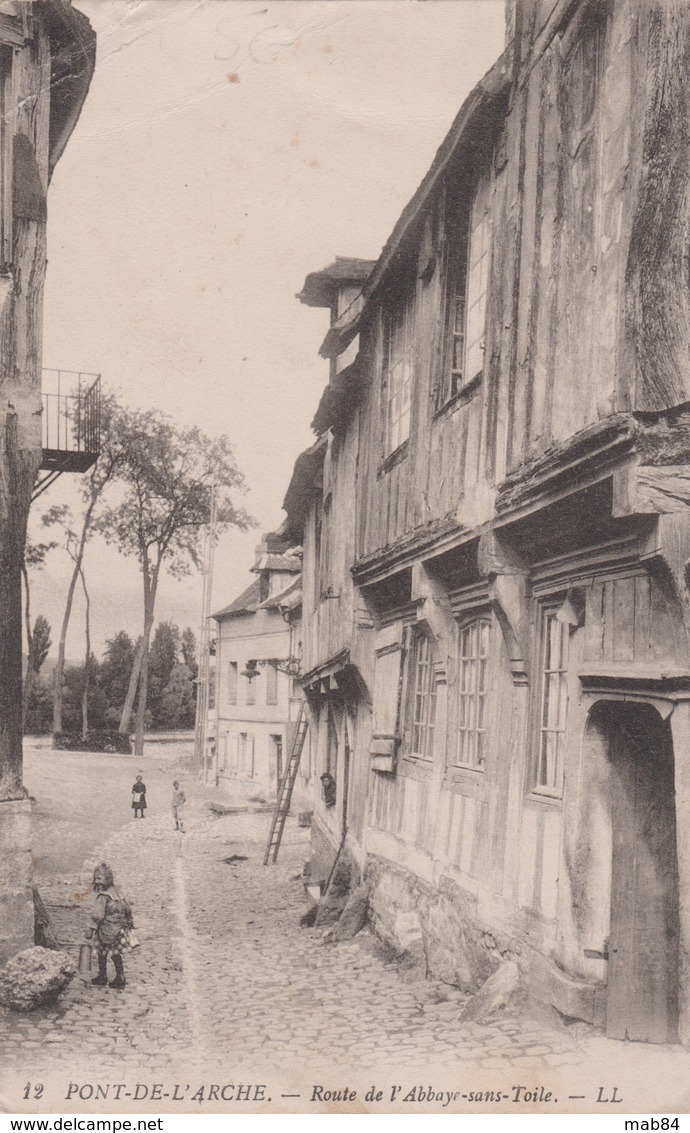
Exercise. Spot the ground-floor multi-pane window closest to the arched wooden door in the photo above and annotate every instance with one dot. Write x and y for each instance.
(553, 708)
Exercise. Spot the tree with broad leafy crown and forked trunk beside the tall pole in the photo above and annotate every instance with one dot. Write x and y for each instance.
(167, 478)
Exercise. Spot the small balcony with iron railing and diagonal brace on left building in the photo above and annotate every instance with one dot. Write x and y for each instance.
(72, 424)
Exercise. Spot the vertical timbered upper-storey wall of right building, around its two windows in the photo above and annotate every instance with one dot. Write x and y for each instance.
(558, 353)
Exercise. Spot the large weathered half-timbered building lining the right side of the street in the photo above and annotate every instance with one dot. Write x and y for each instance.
(497, 533)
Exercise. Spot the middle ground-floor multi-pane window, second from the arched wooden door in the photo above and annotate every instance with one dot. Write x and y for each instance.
(474, 642)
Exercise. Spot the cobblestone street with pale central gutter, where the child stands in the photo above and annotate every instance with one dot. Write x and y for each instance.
(228, 987)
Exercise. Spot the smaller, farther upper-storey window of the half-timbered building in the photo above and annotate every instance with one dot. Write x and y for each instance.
(399, 344)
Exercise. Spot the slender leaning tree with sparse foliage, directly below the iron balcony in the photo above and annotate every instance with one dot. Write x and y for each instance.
(78, 534)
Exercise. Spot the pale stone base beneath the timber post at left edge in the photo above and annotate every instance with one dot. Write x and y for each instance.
(16, 875)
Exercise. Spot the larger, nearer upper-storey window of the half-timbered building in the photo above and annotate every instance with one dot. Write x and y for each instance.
(466, 297)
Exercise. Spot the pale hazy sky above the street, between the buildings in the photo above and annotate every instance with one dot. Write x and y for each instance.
(226, 150)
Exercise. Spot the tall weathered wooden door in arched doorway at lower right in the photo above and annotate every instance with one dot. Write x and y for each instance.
(643, 995)
